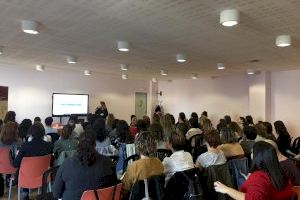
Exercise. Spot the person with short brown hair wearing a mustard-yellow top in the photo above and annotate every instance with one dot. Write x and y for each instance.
(145, 167)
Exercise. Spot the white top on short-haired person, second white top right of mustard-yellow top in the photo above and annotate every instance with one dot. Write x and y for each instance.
(210, 158)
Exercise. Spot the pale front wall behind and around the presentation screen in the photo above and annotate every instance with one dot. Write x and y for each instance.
(30, 92)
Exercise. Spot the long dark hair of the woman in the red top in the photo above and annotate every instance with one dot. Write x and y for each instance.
(265, 159)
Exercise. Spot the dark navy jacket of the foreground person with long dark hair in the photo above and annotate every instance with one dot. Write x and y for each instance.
(72, 178)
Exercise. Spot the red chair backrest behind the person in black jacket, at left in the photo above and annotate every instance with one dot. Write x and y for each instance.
(31, 171)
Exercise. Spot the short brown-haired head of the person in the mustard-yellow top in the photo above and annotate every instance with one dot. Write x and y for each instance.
(145, 144)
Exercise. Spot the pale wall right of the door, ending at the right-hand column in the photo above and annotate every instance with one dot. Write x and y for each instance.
(218, 96)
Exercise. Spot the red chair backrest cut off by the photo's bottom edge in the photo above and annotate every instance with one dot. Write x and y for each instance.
(109, 193)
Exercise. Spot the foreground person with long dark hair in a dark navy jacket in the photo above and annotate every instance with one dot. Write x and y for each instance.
(87, 170)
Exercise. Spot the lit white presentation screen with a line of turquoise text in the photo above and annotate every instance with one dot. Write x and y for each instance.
(67, 104)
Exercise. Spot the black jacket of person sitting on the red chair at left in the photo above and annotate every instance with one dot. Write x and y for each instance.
(33, 148)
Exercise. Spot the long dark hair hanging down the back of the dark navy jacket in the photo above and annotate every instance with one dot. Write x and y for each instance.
(86, 151)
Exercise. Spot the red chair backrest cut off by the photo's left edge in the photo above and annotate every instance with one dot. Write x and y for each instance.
(5, 165)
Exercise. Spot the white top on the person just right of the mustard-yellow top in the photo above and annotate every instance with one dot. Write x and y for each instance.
(177, 162)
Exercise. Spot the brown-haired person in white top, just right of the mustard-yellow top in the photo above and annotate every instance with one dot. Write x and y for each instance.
(180, 160)
